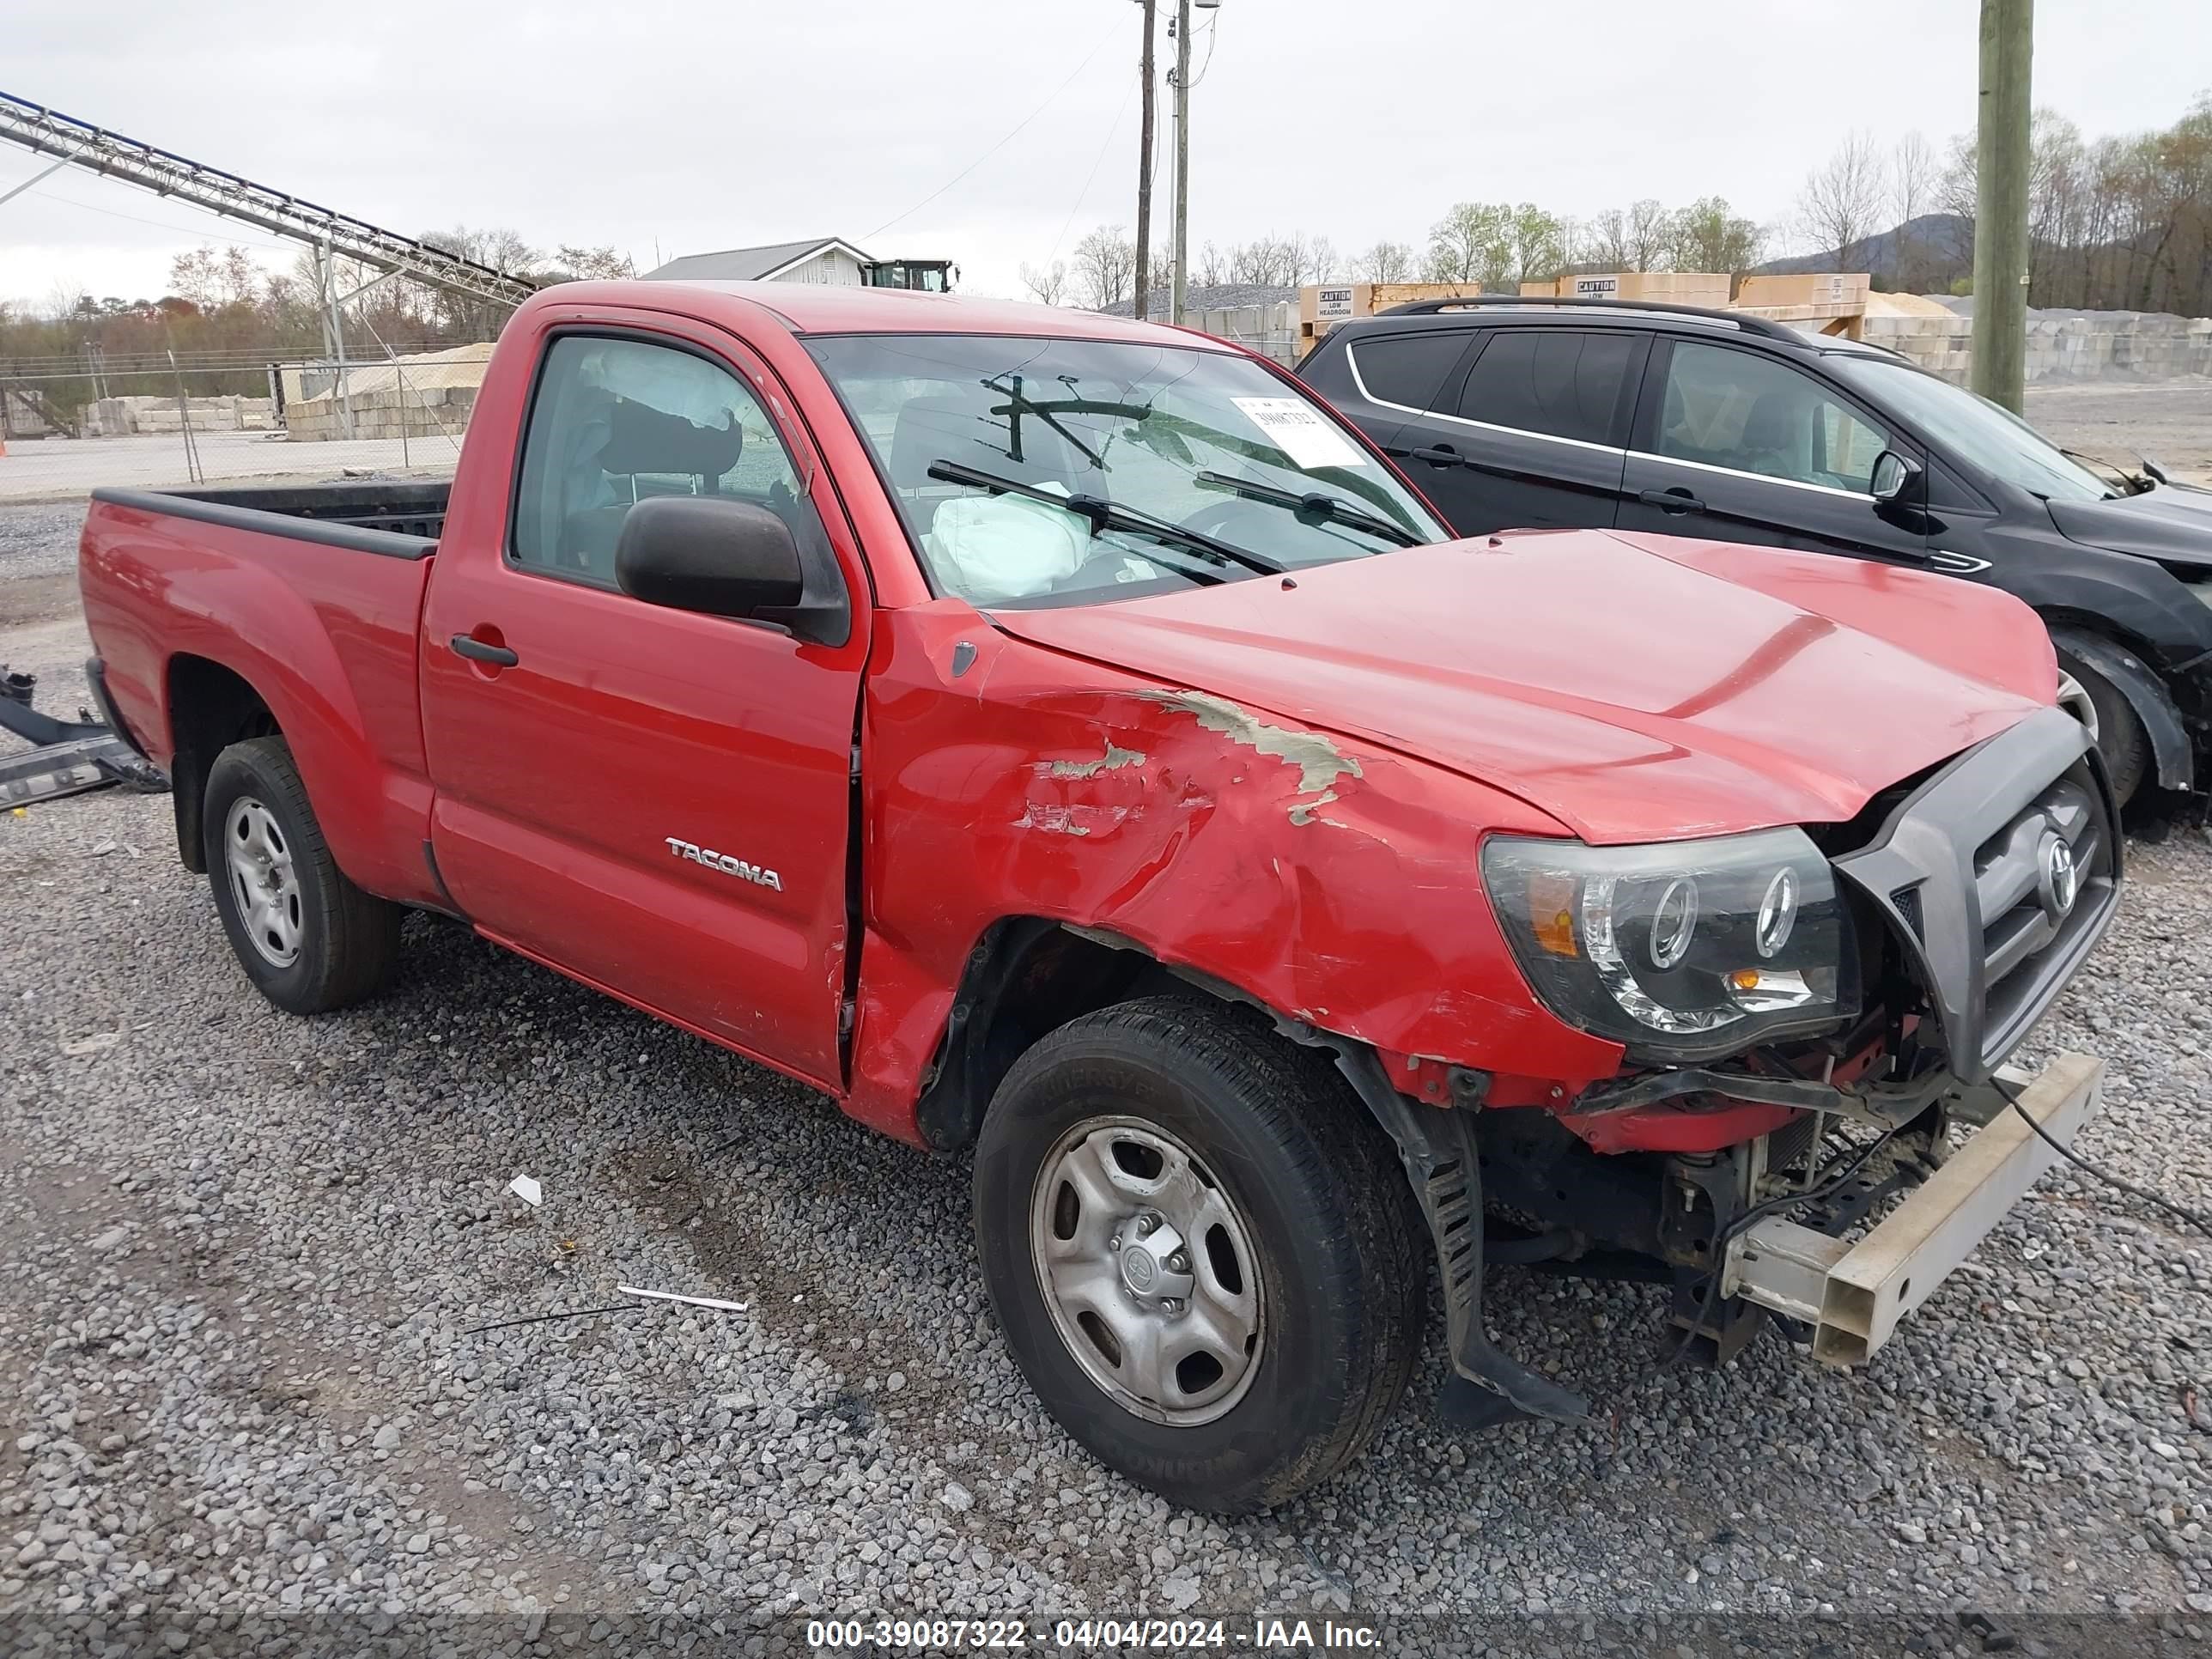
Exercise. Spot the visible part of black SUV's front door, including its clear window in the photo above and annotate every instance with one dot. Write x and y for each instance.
(1738, 446)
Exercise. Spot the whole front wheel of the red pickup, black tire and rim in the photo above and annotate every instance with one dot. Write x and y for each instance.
(1200, 1251)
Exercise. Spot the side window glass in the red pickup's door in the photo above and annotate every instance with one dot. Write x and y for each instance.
(618, 421)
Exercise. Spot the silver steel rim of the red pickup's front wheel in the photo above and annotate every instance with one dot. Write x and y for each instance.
(1149, 1271)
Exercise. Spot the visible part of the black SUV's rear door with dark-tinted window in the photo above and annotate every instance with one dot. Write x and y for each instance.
(1532, 437)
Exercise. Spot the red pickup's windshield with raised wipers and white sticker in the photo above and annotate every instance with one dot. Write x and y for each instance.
(1176, 468)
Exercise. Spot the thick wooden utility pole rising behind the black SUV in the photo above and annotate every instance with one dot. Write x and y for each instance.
(2001, 209)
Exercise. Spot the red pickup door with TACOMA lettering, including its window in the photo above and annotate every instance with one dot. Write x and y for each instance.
(651, 800)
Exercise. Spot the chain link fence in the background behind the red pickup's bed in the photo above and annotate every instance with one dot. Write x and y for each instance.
(72, 428)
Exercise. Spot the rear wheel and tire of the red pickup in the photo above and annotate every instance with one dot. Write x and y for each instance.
(306, 937)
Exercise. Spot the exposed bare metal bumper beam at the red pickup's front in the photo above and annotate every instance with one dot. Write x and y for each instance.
(1855, 1293)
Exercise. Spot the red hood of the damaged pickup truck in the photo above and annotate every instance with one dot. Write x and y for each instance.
(1631, 687)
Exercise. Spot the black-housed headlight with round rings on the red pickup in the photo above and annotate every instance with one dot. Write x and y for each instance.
(1684, 950)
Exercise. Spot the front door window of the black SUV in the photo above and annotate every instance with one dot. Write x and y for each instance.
(1753, 415)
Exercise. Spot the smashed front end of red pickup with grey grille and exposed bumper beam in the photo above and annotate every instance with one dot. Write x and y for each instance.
(1817, 1178)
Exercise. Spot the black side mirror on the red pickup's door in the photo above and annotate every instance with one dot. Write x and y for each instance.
(709, 554)
